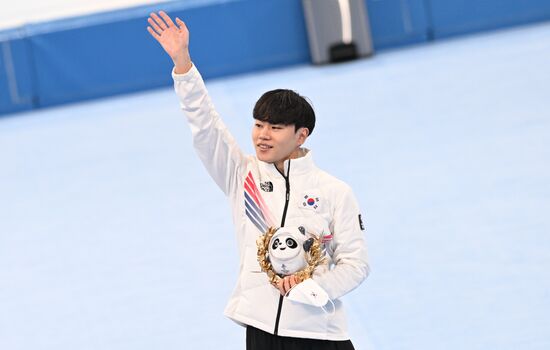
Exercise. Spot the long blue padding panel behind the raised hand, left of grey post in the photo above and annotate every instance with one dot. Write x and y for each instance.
(80, 59)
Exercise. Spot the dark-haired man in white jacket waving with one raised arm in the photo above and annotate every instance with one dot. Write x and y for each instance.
(280, 186)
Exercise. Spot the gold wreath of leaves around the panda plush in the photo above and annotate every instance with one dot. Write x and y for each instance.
(314, 257)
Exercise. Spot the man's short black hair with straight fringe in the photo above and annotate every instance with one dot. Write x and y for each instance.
(285, 107)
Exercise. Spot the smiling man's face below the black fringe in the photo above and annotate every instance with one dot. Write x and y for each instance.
(275, 143)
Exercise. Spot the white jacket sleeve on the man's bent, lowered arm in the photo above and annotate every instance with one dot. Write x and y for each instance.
(349, 250)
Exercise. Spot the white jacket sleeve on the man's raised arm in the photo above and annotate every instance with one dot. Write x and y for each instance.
(214, 144)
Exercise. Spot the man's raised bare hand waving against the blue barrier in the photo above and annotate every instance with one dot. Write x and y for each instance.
(173, 38)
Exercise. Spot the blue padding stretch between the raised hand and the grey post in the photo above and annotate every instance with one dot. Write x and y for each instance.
(247, 36)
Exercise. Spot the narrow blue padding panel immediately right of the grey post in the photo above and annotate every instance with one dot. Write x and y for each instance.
(397, 22)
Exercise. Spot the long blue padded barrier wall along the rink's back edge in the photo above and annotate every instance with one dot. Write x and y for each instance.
(111, 53)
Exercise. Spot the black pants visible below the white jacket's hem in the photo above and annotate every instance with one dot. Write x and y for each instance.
(259, 340)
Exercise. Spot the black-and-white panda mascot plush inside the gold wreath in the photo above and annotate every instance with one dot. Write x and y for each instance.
(287, 250)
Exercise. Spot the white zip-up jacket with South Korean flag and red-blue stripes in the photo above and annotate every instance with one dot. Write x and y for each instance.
(260, 197)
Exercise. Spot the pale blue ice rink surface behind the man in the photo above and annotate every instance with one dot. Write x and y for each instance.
(112, 235)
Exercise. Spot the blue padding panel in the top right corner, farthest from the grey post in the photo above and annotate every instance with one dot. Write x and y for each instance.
(459, 17)
